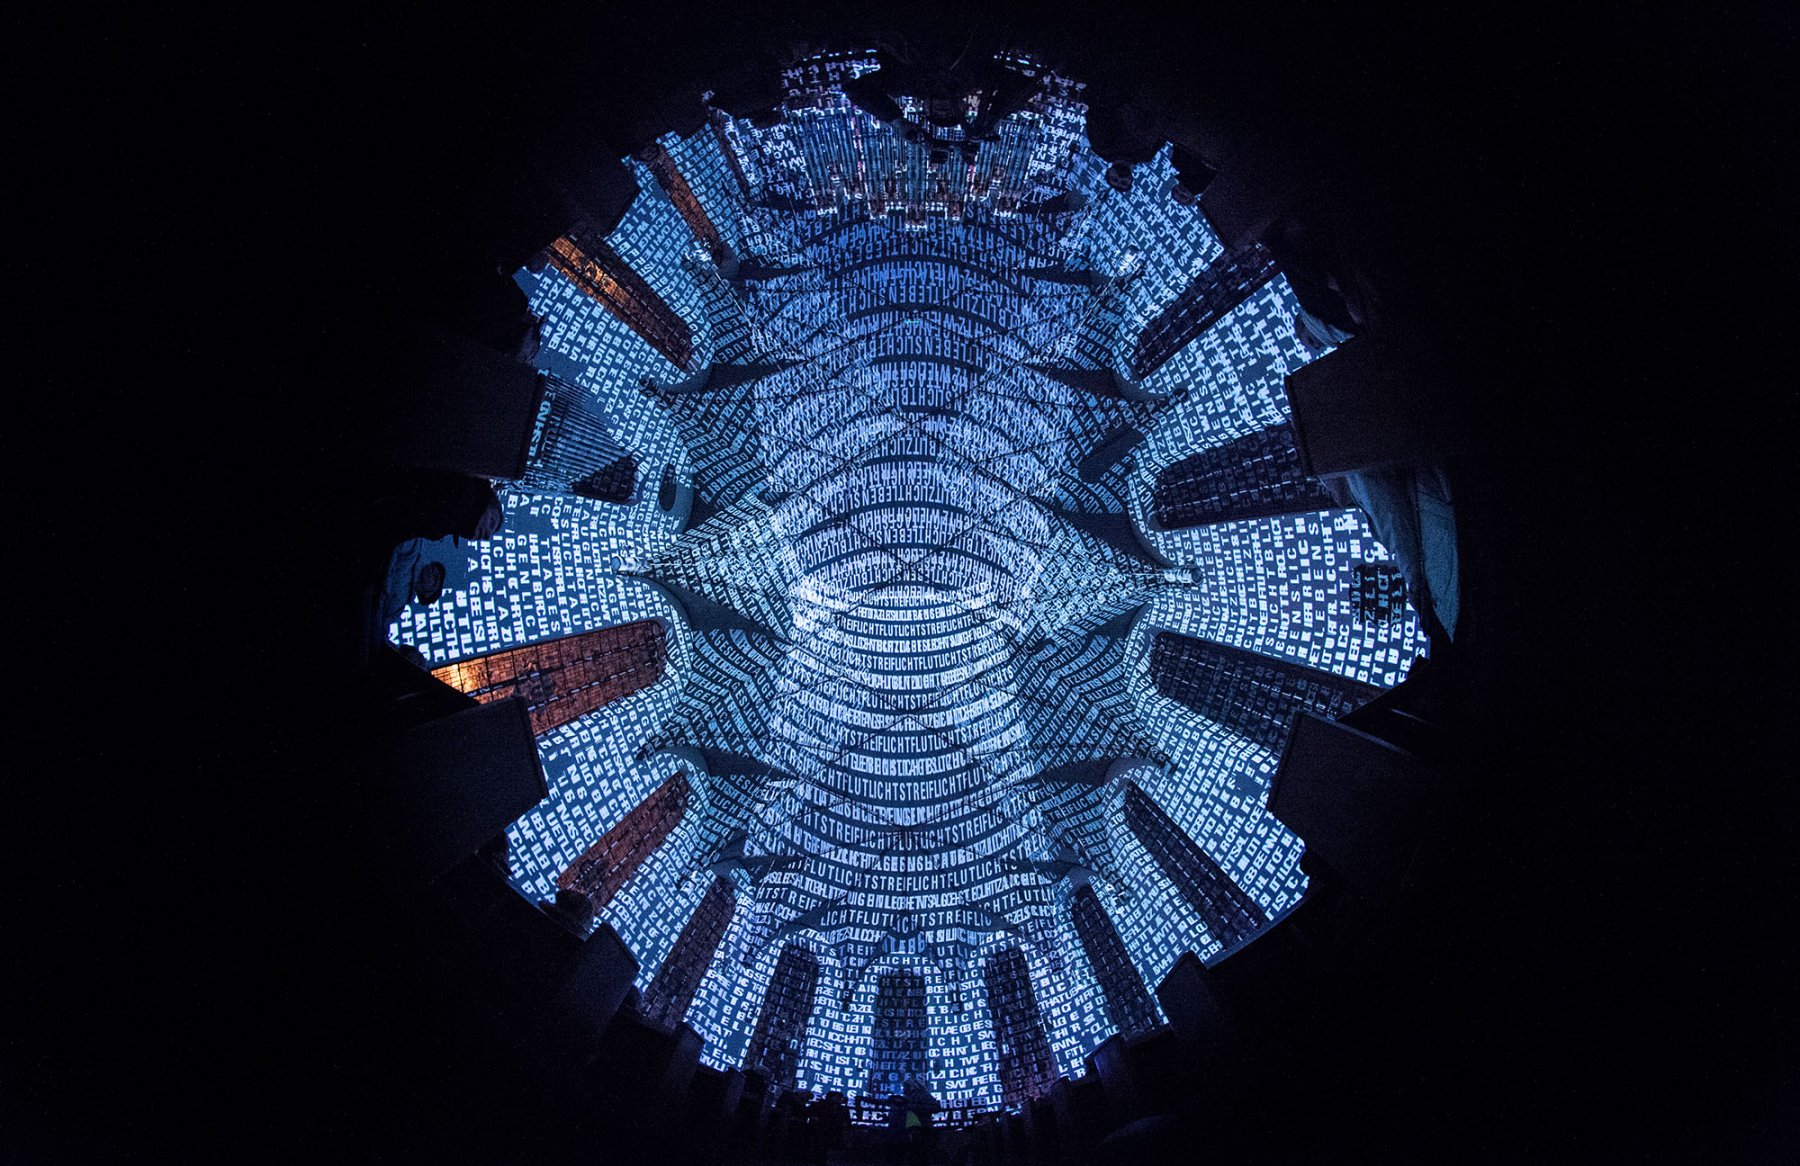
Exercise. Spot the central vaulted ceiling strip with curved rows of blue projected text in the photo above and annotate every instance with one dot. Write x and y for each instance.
(921, 570)
